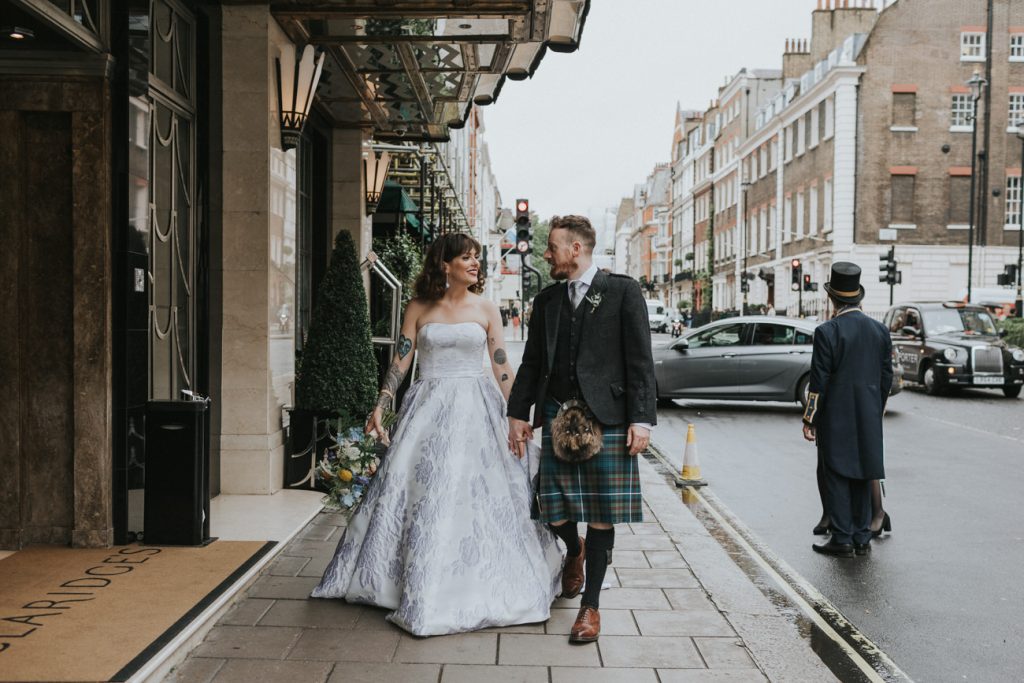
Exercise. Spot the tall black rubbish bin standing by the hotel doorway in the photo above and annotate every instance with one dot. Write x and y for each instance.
(178, 474)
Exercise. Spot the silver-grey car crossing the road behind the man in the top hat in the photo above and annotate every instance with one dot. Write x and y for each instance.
(753, 358)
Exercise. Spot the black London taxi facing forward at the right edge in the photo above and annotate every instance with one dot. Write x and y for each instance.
(944, 346)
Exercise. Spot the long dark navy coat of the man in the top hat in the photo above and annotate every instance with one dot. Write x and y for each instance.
(851, 375)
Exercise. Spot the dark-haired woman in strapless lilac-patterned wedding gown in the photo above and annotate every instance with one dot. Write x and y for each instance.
(444, 536)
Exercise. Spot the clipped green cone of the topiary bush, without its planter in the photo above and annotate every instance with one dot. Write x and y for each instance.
(337, 373)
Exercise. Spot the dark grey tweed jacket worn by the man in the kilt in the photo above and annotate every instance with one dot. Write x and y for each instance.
(614, 367)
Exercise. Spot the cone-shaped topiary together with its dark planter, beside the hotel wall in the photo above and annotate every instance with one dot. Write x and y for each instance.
(336, 375)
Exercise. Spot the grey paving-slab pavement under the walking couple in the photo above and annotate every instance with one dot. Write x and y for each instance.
(679, 610)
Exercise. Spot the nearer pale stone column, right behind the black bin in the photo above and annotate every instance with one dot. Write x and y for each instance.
(249, 437)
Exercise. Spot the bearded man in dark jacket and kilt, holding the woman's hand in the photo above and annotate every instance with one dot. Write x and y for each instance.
(588, 340)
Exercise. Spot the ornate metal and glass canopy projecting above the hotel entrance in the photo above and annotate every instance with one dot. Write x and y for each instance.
(411, 70)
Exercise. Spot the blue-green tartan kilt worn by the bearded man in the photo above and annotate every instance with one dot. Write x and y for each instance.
(605, 489)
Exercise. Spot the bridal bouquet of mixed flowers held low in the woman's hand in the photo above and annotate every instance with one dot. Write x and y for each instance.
(348, 466)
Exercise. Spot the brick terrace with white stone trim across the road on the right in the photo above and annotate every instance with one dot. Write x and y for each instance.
(862, 144)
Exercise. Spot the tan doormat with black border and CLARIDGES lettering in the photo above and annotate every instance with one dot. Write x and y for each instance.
(100, 615)
